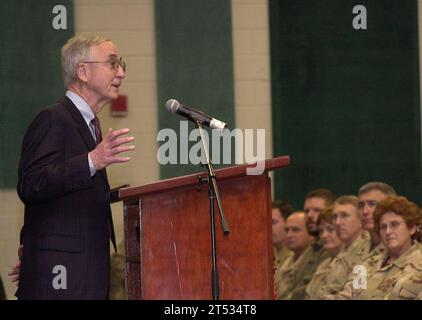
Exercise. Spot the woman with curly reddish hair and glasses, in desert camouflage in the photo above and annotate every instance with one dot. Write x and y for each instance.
(397, 273)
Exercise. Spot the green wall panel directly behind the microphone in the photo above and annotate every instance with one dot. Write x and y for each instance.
(194, 63)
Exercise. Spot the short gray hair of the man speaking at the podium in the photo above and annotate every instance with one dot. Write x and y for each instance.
(75, 50)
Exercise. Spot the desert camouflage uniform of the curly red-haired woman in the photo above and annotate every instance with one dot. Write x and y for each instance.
(401, 279)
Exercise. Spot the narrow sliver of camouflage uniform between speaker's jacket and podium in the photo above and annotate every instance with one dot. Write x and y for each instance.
(117, 274)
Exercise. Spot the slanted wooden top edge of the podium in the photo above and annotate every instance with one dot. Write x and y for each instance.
(192, 179)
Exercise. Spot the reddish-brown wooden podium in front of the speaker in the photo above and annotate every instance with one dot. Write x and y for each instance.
(168, 238)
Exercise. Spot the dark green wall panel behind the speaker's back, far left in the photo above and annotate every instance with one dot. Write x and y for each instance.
(30, 72)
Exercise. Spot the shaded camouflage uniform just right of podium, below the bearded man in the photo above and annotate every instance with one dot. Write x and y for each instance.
(295, 275)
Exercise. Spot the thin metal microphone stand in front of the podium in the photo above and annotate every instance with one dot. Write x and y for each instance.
(213, 194)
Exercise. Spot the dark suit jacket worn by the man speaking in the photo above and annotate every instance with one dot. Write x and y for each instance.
(67, 212)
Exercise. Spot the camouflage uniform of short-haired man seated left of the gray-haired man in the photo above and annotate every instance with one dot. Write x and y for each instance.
(342, 267)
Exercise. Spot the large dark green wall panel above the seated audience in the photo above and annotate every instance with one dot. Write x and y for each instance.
(345, 101)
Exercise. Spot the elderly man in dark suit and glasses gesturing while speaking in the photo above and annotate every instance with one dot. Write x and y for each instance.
(63, 181)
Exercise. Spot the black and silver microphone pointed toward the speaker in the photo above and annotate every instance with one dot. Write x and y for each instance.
(173, 106)
